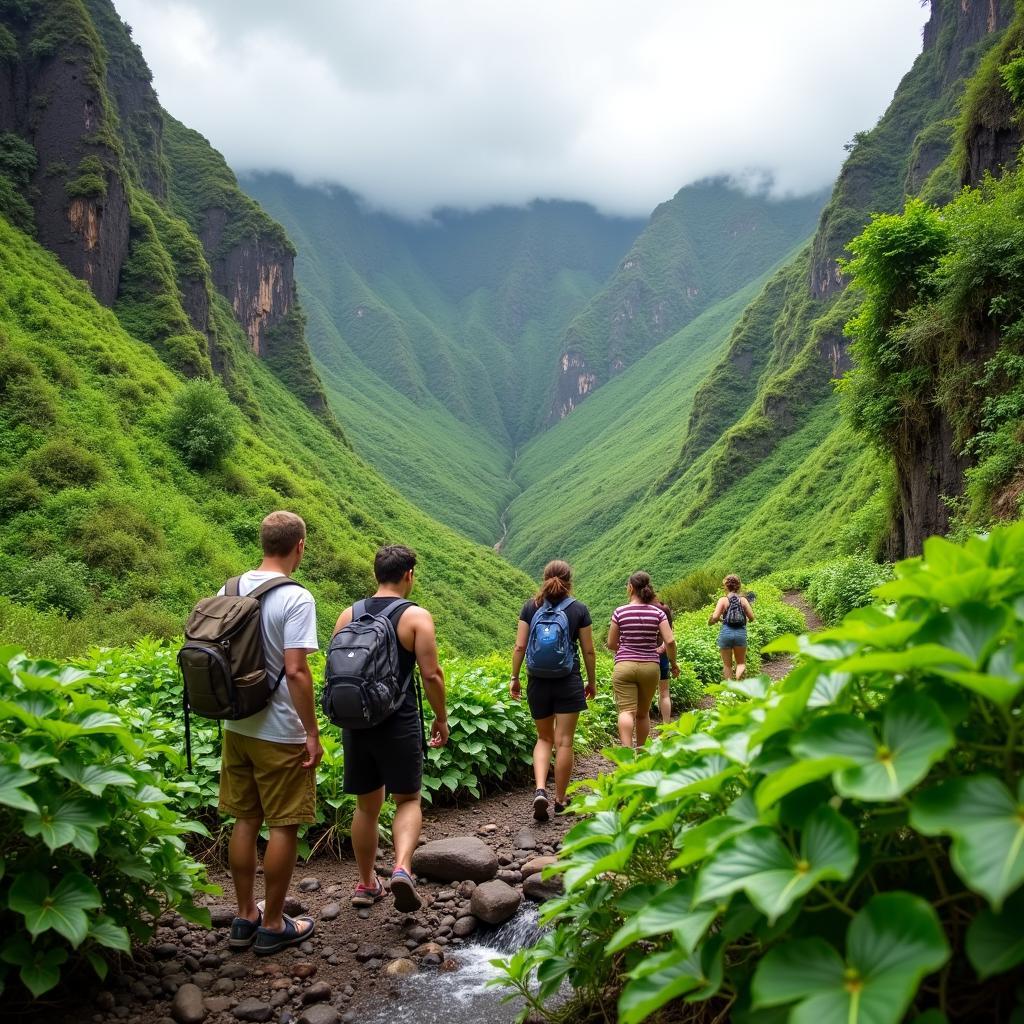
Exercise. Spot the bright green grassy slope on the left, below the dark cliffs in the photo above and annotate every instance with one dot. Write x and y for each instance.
(95, 497)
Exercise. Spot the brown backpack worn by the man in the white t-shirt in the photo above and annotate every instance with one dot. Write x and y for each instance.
(223, 660)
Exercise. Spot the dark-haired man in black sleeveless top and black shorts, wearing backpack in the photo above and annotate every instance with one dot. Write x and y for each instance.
(388, 758)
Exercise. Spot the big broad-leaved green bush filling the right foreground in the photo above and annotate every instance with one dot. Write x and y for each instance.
(845, 845)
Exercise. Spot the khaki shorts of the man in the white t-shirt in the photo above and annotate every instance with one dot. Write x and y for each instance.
(262, 780)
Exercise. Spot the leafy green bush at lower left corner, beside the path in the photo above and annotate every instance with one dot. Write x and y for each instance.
(94, 844)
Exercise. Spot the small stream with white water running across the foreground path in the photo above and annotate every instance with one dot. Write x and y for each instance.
(461, 997)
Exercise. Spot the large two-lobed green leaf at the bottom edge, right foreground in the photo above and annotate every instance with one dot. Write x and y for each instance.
(892, 945)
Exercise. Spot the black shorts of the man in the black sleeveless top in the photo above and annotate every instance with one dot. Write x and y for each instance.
(390, 755)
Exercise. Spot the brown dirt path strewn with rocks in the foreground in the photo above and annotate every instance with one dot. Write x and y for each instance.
(491, 863)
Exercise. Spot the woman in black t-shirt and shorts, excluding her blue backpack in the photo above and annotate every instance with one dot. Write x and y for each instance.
(556, 704)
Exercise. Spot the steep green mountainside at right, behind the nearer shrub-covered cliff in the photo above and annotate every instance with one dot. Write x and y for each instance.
(766, 473)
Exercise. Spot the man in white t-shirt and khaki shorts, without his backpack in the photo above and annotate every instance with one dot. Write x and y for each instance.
(269, 764)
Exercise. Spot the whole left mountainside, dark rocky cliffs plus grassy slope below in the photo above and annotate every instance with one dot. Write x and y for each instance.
(184, 332)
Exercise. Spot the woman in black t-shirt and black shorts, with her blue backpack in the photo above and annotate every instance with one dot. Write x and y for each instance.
(553, 628)
